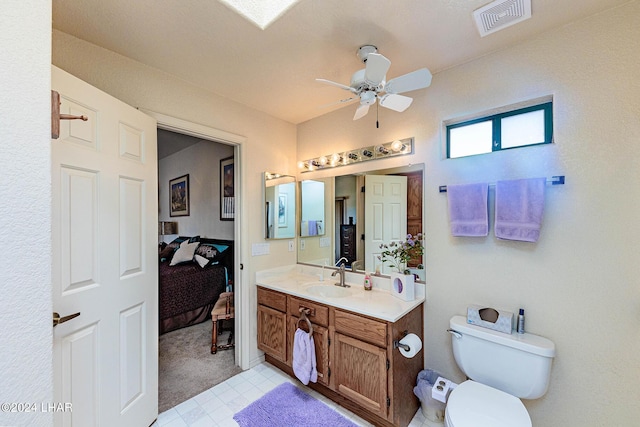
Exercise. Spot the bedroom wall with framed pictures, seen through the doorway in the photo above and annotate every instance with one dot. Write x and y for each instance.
(202, 162)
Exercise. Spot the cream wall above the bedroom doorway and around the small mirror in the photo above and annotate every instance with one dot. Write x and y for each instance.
(270, 143)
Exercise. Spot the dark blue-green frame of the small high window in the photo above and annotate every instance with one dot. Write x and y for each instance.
(496, 145)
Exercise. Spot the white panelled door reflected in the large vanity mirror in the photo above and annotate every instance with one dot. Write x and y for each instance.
(385, 200)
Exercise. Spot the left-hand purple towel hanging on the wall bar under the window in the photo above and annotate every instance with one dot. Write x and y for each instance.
(468, 212)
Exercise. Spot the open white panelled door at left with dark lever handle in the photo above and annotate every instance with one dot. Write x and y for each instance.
(104, 236)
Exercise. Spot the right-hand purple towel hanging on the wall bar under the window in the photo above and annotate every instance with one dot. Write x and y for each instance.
(519, 207)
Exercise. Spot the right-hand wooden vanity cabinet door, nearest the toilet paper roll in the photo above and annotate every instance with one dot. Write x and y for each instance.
(360, 373)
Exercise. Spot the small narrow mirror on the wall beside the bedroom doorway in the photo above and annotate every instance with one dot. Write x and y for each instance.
(279, 206)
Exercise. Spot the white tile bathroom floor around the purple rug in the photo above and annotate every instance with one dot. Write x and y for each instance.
(216, 406)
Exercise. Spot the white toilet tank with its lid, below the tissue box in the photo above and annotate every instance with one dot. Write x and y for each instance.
(518, 364)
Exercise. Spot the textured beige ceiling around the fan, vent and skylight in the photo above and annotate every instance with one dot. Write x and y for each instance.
(206, 43)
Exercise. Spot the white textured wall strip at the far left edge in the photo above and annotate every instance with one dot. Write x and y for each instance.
(25, 211)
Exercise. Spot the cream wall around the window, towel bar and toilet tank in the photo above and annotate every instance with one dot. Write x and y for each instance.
(580, 284)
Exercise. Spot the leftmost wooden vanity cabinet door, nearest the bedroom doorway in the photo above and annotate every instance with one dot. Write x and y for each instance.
(272, 332)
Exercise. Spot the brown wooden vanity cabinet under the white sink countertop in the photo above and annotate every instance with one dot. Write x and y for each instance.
(358, 367)
